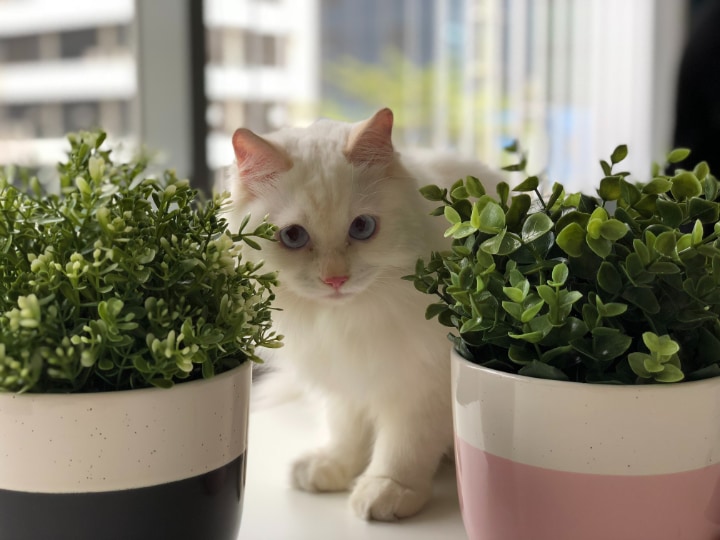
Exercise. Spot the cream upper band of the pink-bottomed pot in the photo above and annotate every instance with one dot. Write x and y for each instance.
(587, 428)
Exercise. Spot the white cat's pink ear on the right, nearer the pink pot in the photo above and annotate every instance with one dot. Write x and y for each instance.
(370, 142)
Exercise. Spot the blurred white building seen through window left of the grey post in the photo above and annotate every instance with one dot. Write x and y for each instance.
(63, 68)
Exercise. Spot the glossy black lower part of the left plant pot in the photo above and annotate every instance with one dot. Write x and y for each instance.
(208, 506)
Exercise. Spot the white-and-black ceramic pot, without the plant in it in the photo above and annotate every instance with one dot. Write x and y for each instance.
(139, 464)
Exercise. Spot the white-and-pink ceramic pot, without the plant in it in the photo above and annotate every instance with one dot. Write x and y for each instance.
(549, 460)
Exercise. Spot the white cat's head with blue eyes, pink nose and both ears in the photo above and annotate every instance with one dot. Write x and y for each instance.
(340, 200)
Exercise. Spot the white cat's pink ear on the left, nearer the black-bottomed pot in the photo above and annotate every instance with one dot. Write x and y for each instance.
(257, 160)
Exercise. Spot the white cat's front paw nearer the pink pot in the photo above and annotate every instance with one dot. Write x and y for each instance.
(384, 499)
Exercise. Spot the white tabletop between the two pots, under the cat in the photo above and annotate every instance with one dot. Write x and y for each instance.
(272, 510)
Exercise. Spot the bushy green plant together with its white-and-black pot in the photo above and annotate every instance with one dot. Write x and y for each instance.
(112, 292)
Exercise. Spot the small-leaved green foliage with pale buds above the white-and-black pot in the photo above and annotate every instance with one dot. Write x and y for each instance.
(123, 281)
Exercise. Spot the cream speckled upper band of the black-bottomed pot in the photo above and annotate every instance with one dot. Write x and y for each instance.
(78, 443)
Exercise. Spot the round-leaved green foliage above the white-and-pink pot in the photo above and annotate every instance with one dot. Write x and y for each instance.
(618, 288)
